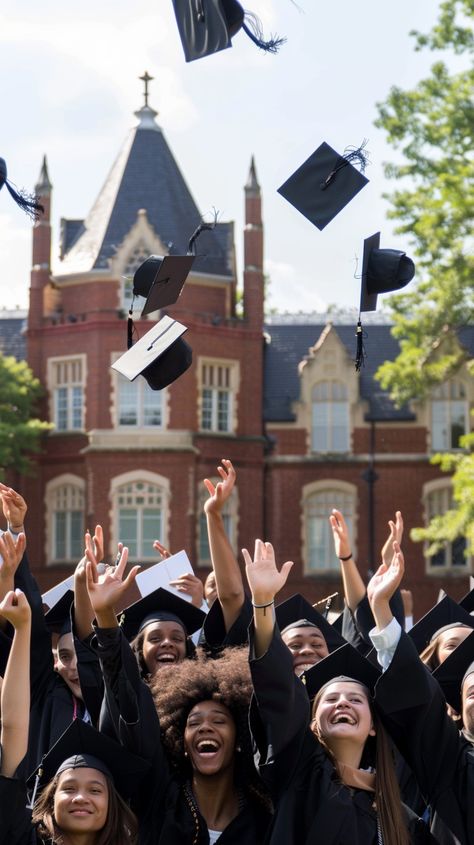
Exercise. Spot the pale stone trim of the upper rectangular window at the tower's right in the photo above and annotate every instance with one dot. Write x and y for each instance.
(232, 366)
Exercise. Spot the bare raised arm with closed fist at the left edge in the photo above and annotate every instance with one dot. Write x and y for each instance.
(16, 684)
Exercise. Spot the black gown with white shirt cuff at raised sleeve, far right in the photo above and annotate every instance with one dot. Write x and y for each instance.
(414, 710)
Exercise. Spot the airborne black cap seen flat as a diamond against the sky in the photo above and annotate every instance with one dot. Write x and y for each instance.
(325, 183)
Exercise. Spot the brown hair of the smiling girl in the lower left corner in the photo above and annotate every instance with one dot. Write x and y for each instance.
(121, 827)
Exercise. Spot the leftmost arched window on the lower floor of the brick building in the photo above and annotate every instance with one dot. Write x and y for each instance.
(66, 516)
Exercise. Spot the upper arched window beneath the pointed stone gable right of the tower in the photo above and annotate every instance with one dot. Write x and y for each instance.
(330, 417)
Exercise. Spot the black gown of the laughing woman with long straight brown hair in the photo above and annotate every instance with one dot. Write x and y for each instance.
(311, 804)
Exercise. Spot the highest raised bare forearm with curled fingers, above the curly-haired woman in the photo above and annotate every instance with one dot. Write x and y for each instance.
(230, 588)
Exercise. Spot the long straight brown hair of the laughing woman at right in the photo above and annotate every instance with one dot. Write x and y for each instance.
(378, 753)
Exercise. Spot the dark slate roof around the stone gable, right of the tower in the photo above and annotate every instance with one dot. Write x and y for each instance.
(290, 343)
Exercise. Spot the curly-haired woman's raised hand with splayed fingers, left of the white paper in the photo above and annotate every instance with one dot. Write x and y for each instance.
(106, 592)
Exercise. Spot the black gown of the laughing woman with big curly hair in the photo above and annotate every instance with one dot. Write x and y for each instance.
(165, 813)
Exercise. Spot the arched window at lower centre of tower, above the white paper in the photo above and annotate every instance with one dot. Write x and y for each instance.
(141, 507)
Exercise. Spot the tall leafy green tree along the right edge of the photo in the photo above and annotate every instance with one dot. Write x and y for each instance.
(433, 128)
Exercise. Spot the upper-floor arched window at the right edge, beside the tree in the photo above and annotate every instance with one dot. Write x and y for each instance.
(449, 415)
